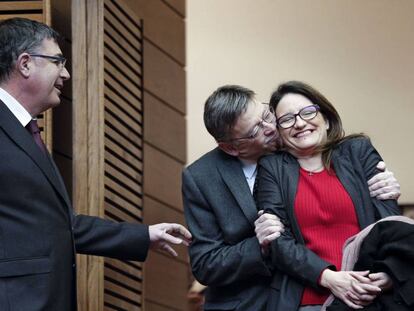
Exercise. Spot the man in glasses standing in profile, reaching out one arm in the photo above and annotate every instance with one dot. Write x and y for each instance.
(39, 233)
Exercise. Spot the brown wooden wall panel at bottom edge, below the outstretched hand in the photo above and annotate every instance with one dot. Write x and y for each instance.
(166, 281)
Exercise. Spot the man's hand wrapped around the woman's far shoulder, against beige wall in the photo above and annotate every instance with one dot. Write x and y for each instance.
(384, 185)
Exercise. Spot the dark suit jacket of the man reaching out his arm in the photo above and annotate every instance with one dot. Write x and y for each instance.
(39, 233)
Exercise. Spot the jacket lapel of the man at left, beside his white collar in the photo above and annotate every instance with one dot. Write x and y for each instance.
(24, 140)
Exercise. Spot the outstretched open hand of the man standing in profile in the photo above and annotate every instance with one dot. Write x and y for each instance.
(162, 235)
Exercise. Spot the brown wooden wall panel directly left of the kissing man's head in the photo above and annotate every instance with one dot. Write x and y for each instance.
(164, 128)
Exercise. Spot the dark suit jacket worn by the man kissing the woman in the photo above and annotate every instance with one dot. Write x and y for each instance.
(225, 254)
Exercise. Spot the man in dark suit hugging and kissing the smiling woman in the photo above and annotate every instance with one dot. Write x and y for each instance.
(219, 207)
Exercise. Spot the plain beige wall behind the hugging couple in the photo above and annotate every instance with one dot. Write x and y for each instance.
(360, 54)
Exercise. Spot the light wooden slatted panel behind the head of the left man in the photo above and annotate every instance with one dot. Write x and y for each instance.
(39, 11)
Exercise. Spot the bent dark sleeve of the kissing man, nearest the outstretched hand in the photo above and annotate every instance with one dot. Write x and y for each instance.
(213, 261)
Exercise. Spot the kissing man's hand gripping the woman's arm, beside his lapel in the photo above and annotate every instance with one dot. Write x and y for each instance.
(268, 228)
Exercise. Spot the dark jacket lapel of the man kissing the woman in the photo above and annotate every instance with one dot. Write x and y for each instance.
(232, 173)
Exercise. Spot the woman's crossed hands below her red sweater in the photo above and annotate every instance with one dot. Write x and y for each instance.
(347, 286)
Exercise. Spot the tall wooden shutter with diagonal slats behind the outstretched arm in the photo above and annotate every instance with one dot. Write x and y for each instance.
(123, 146)
